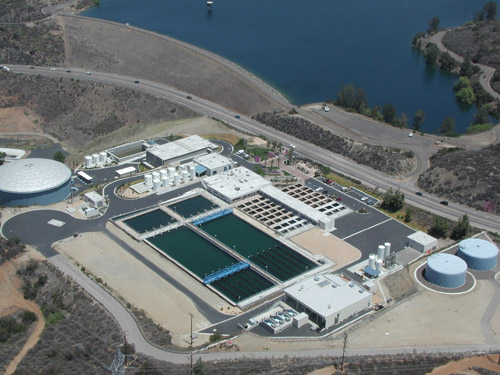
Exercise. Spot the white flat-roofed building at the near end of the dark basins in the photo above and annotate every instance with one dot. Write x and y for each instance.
(328, 299)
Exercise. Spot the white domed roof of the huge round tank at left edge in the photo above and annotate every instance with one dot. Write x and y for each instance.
(33, 175)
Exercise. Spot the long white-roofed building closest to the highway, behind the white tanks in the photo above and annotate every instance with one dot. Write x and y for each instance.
(179, 151)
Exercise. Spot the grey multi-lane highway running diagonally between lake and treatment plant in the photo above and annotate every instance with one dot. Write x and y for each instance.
(338, 163)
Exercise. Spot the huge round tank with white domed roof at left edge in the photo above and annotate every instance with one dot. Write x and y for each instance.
(34, 181)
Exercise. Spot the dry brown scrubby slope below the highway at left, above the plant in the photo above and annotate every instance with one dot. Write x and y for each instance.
(76, 112)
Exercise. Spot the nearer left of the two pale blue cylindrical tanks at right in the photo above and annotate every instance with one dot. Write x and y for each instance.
(446, 270)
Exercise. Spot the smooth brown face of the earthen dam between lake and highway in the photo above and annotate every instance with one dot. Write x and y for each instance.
(125, 49)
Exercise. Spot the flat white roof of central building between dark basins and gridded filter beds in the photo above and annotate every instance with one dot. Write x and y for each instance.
(236, 183)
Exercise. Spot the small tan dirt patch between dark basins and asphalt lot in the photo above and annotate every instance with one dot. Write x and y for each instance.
(332, 247)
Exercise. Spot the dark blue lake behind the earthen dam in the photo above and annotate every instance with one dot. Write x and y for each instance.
(308, 49)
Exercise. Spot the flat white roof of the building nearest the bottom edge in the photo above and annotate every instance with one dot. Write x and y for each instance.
(319, 294)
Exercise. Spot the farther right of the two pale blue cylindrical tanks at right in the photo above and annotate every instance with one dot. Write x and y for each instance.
(480, 255)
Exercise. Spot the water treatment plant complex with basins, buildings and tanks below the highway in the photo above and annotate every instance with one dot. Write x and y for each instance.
(302, 258)
